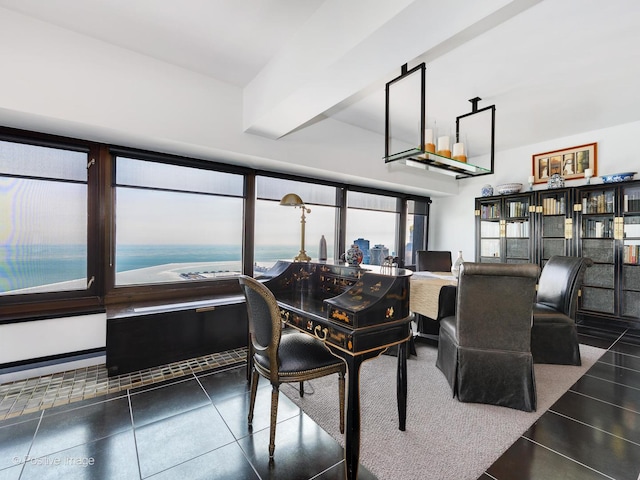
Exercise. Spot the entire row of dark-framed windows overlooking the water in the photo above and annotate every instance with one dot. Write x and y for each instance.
(83, 225)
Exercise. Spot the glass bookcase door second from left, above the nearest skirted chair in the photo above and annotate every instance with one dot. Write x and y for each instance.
(517, 231)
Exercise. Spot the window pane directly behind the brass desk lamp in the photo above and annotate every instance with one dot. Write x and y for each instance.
(278, 229)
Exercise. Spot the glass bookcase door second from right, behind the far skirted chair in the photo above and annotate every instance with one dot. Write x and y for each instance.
(598, 213)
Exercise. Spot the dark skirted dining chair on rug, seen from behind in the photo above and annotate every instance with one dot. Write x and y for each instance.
(484, 349)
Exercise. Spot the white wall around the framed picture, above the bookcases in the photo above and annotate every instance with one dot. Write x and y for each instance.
(452, 223)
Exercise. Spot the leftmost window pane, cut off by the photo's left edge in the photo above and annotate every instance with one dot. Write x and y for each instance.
(43, 219)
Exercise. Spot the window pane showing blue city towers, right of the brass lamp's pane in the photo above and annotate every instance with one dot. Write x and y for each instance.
(372, 224)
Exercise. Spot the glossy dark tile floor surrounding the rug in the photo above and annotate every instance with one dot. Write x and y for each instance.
(195, 427)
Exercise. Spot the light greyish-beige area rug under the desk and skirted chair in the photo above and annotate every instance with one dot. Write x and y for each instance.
(444, 438)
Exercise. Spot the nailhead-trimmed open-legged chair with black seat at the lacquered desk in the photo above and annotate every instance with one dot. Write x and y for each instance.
(294, 357)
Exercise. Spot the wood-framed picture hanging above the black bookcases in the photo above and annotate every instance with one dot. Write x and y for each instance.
(570, 163)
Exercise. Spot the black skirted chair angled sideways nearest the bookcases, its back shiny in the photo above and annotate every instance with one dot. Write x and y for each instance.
(554, 335)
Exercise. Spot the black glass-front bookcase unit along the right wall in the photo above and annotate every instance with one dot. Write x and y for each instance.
(592, 220)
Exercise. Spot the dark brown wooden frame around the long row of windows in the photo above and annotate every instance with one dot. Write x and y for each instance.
(102, 292)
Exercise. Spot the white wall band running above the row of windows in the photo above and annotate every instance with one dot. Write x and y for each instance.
(60, 82)
